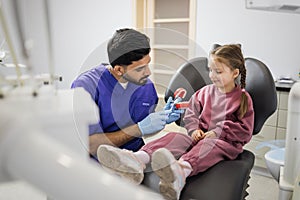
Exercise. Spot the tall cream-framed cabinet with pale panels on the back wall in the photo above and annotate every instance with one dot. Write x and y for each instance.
(170, 24)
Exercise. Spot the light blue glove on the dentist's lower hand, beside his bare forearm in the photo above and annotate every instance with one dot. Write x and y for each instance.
(154, 122)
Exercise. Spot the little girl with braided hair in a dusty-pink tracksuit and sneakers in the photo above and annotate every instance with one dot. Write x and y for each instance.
(219, 122)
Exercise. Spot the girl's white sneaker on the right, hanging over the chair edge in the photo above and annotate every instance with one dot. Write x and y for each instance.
(172, 177)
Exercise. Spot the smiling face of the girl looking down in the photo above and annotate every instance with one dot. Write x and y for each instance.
(222, 75)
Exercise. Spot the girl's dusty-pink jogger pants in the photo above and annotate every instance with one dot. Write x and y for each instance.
(201, 155)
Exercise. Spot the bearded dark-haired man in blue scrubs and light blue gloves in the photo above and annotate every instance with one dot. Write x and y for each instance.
(124, 94)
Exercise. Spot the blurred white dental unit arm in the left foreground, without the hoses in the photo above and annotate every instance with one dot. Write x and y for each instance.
(43, 140)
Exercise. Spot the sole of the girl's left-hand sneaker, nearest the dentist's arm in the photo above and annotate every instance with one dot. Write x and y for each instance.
(111, 161)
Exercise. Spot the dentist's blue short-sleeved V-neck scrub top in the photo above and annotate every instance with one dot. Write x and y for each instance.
(118, 107)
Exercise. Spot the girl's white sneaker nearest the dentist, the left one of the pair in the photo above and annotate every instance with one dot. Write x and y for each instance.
(121, 162)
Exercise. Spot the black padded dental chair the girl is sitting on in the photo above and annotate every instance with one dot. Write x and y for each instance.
(227, 180)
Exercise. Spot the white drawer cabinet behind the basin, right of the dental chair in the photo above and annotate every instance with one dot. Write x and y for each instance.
(273, 129)
